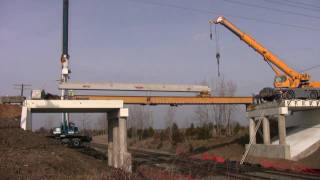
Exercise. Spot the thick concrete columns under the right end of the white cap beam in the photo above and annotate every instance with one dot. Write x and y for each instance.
(118, 155)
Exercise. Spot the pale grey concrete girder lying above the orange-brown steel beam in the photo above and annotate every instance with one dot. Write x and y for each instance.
(135, 87)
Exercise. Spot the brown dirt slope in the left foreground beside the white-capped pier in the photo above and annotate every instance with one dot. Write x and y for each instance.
(27, 155)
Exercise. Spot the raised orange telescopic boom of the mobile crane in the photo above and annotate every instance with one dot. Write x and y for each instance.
(295, 77)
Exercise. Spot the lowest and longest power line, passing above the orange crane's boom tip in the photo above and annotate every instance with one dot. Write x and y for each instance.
(201, 11)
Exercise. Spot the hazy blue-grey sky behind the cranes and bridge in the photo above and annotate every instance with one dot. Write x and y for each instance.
(154, 41)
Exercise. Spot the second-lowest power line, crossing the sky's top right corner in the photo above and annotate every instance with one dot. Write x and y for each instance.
(271, 9)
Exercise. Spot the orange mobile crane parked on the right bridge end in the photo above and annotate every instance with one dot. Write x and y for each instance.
(288, 83)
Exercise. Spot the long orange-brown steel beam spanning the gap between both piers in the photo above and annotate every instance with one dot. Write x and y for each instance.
(169, 100)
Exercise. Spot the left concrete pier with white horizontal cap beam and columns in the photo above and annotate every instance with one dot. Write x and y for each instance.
(118, 155)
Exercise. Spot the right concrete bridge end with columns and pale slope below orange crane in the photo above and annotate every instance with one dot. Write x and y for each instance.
(303, 137)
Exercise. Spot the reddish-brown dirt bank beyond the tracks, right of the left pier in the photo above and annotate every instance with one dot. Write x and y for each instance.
(231, 148)
